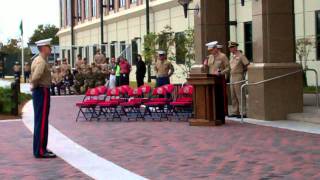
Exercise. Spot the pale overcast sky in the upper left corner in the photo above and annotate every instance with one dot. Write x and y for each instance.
(32, 12)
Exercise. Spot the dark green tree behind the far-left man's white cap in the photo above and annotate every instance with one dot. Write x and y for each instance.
(45, 32)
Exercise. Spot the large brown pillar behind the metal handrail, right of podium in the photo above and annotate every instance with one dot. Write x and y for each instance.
(274, 55)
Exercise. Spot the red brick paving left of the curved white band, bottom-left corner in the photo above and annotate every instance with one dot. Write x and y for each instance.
(17, 161)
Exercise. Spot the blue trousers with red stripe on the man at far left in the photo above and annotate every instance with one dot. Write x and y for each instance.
(41, 106)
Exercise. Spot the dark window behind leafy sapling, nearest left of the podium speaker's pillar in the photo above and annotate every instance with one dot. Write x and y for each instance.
(180, 48)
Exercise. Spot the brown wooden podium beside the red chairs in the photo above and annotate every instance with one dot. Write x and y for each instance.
(208, 100)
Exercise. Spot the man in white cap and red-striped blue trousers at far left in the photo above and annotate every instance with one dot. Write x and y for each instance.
(40, 84)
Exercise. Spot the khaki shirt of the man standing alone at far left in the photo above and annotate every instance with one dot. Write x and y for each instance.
(40, 73)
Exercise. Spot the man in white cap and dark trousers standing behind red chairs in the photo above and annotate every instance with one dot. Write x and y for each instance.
(164, 69)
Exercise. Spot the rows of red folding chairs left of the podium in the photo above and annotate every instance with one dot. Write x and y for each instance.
(138, 103)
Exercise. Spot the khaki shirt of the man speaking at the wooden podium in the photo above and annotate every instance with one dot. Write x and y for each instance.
(218, 62)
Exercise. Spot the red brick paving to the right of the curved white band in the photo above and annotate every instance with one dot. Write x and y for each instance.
(174, 150)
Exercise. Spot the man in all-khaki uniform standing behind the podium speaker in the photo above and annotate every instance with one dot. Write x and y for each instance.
(238, 64)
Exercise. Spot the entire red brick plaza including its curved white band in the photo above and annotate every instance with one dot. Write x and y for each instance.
(158, 150)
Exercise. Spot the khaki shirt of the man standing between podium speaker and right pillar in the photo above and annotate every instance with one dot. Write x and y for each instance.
(238, 63)
